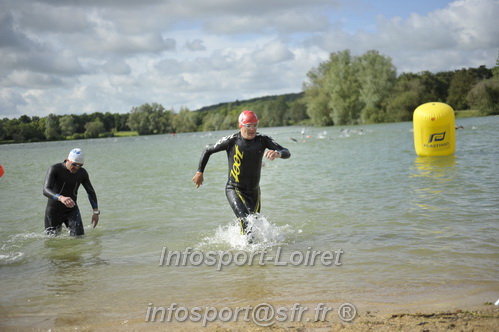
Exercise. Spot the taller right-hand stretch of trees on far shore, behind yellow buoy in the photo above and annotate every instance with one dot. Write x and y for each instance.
(365, 89)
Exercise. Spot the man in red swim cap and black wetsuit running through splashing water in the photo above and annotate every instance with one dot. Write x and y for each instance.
(245, 150)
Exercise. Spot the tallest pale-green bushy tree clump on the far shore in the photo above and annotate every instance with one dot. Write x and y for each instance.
(349, 90)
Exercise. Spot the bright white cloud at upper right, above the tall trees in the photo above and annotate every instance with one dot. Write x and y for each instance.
(464, 34)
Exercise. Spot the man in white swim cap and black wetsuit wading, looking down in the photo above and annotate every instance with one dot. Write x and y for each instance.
(61, 188)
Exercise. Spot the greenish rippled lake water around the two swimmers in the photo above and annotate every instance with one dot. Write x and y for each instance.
(400, 230)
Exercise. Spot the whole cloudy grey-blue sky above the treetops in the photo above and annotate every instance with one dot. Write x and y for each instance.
(85, 56)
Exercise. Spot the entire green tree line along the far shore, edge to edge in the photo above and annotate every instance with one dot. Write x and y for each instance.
(343, 90)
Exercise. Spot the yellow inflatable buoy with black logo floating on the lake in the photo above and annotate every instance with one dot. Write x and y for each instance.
(434, 130)
